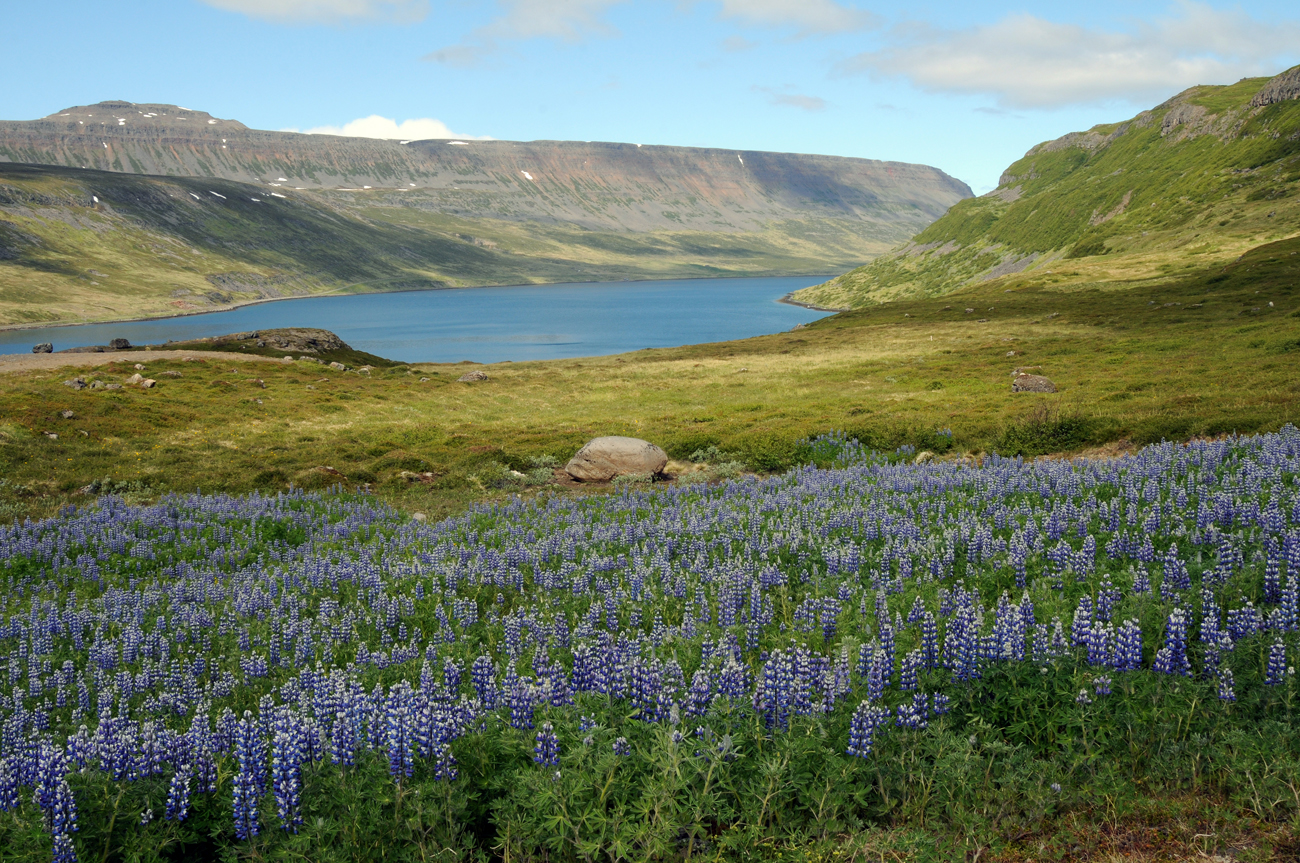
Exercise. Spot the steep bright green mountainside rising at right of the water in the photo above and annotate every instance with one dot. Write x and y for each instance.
(1193, 183)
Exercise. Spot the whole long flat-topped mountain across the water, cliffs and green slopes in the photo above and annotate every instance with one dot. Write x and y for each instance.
(353, 214)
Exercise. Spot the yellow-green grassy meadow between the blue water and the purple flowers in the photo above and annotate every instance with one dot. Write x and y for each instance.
(1203, 354)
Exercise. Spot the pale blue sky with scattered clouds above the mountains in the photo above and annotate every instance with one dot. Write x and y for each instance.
(968, 88)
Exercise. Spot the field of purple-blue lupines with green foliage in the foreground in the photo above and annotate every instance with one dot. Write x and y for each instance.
(961, 650)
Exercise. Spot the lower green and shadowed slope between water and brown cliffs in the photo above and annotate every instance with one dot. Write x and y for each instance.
(86, 245)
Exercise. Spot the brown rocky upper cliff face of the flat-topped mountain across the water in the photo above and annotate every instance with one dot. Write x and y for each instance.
(600, 187)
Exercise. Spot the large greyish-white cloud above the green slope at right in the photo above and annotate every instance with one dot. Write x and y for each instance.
(1029, 63)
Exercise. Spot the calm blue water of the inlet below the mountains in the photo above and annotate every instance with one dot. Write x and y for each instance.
(489, 324)
